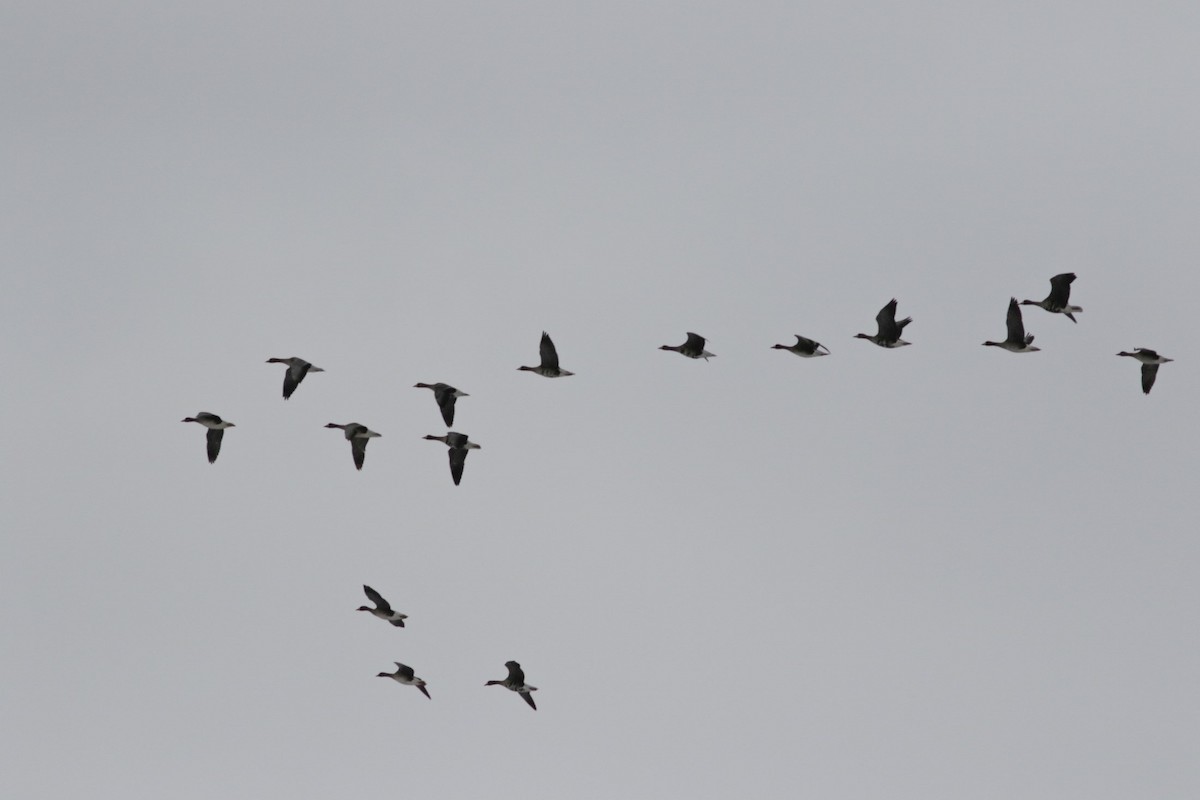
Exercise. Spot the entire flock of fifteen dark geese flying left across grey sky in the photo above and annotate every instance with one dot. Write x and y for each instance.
(887, 335)
